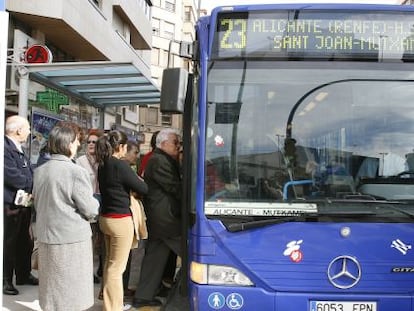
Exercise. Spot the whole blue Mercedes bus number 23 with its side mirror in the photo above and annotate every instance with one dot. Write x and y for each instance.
(299, 158)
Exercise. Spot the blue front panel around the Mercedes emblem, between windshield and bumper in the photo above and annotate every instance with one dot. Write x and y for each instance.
(263, 254)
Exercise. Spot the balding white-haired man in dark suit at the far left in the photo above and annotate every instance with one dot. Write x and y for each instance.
(18, 175)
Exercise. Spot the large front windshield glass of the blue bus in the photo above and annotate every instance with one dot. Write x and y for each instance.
(309, 131)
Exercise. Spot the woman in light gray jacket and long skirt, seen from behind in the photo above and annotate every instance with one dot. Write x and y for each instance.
(64, 203)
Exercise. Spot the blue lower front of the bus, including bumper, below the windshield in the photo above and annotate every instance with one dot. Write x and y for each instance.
(289, 263)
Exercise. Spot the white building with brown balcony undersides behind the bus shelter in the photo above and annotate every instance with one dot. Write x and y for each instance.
(78, 32)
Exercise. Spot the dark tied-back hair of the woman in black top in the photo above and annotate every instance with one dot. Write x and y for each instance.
(108, 144)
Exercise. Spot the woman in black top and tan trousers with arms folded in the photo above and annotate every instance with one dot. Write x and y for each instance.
(116, 182)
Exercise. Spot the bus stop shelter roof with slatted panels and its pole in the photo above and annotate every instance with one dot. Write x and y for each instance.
(99, 84)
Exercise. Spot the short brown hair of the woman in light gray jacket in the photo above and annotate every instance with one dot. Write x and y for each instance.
(60, 138)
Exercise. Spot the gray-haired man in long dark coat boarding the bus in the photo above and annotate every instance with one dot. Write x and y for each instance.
(162, 206)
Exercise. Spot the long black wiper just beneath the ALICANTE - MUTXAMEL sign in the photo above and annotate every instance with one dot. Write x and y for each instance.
(242, 226)
